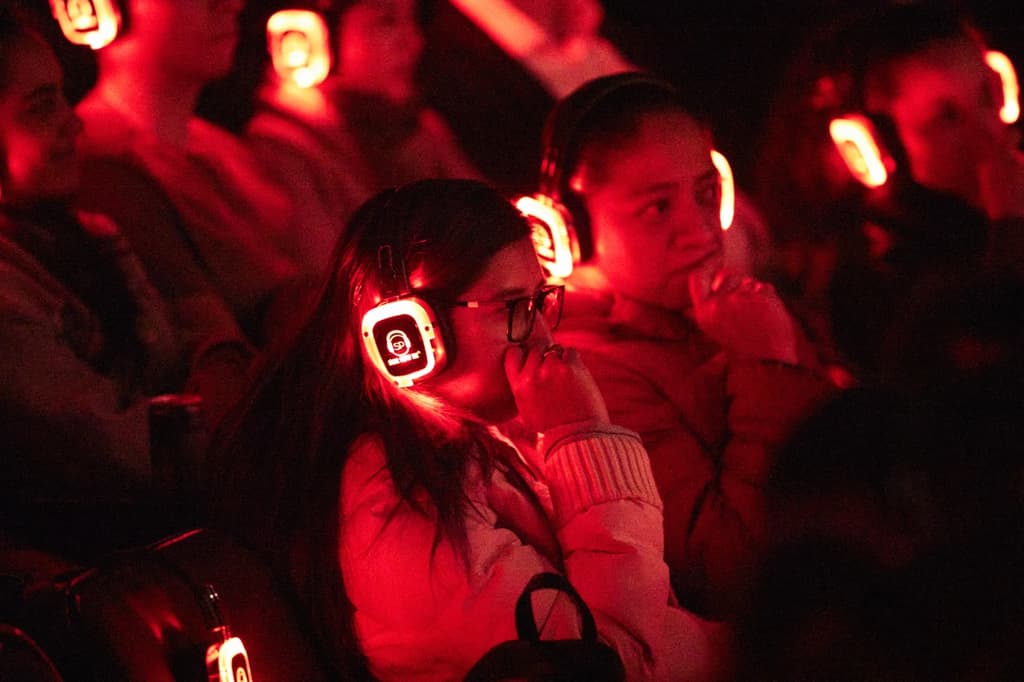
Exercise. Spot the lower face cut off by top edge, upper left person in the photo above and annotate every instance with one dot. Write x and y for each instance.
(194, 38)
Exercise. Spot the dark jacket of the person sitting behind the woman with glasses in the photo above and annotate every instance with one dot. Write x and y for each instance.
(710, 446)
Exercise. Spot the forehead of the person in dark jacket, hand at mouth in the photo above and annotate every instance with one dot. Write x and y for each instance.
(668, 147)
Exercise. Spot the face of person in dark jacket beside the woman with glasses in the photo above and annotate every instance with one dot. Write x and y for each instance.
(655, 210)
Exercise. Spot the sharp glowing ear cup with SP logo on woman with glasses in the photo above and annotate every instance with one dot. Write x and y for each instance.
(401, 333)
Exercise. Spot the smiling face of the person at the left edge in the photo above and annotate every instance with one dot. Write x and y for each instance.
(37, 127)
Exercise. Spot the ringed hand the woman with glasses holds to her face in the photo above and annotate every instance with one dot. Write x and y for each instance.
(552, 388)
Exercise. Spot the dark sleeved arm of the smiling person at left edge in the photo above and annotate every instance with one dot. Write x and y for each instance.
(70, 429)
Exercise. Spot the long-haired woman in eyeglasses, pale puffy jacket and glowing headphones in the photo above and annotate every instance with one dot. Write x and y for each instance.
(407, 523)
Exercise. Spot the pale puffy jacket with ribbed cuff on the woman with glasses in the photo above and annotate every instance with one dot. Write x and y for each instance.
(428, 613)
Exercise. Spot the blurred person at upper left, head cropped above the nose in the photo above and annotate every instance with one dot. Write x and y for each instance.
(191, 197)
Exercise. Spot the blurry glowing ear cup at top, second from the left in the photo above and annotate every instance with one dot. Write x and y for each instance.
(300, 49)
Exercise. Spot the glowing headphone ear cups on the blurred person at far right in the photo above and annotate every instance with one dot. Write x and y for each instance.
(871, 153)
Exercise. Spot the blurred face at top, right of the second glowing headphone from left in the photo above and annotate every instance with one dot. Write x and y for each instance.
(379, 47)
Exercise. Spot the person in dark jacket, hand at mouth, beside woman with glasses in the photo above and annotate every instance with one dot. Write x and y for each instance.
(706, 364)
